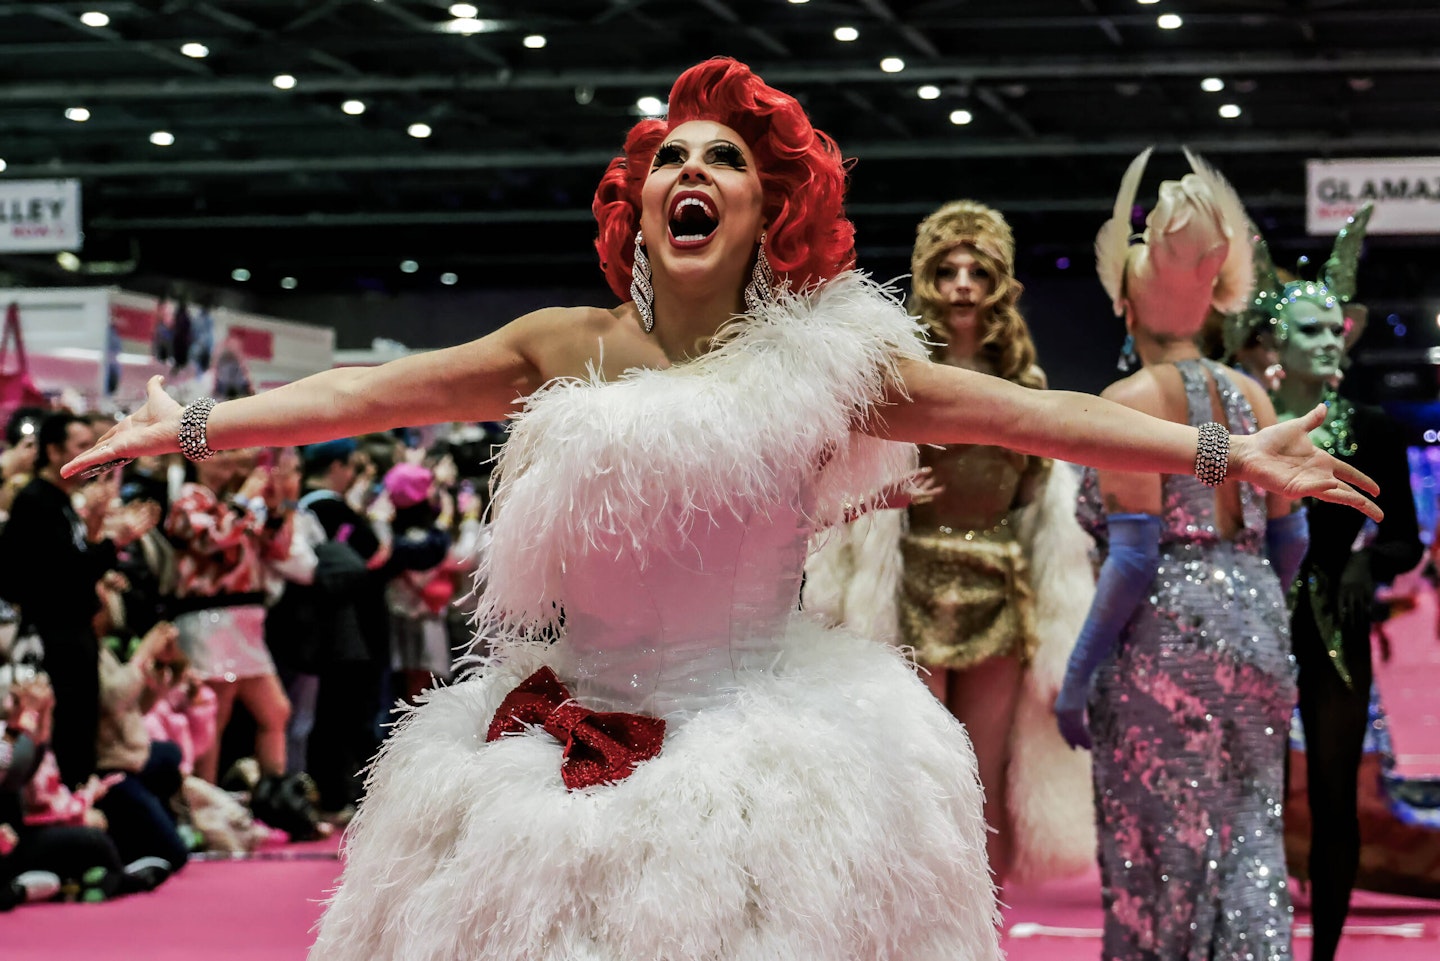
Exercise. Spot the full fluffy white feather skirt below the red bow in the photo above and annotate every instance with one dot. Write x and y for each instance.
(830, 813)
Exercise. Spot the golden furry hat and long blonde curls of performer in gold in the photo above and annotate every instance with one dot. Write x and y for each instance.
(1006, 342)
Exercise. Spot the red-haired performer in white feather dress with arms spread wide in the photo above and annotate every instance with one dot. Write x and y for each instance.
(757, 787)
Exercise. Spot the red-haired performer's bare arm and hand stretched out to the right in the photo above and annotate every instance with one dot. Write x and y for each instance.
(938, 404)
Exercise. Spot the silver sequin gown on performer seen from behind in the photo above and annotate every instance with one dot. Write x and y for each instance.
(1190, 721)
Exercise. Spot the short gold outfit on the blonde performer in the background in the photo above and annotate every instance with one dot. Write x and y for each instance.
(966, 594)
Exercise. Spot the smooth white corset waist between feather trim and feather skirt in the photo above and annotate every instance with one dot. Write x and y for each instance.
(666, 635)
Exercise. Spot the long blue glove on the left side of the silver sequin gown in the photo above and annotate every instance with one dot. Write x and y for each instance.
(1125, 580)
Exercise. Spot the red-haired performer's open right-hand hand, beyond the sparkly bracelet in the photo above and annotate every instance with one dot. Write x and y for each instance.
(1282, 459)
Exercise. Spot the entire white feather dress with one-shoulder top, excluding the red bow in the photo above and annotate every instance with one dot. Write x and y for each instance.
(811, 800)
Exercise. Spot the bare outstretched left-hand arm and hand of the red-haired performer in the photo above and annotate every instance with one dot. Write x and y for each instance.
(480, 381)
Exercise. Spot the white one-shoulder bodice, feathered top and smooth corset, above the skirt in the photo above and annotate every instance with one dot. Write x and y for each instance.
(657, 524)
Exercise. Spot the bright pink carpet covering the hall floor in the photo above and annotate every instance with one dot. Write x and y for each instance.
(266, 910)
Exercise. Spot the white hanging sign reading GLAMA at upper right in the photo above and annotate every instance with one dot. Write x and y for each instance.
(1406, 192)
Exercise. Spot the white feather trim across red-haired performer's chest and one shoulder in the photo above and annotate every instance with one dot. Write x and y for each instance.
(767, 417)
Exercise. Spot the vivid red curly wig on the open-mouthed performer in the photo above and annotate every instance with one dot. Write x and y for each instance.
(801, 174)
